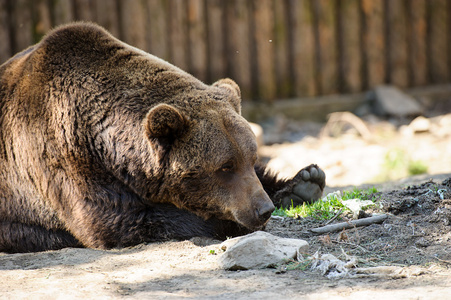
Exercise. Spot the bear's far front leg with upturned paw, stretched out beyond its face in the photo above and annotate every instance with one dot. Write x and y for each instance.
(307, 186)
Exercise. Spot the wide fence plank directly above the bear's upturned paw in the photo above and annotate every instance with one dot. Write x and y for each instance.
(302, 48)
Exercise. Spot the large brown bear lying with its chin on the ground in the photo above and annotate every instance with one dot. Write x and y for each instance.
(103, 145)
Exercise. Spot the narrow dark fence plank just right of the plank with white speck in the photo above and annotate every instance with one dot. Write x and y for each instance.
(283, 75)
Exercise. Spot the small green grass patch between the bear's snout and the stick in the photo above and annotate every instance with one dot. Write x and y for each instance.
(327, 207)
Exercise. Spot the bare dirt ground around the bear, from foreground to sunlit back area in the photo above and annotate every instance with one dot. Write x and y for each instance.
(415, 238)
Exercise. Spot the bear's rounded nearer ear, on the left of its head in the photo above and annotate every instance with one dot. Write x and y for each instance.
(165, 122)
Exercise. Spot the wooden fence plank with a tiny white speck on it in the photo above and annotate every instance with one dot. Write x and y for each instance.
(264, 24)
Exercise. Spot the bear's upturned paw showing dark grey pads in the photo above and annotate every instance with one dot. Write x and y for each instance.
(306, 186)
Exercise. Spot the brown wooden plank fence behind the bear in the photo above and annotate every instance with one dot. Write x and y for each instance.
(273, 48)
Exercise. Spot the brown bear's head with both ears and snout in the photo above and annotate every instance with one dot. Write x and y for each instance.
(209, 152)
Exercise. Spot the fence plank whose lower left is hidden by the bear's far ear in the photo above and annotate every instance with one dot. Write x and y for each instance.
(238, 46)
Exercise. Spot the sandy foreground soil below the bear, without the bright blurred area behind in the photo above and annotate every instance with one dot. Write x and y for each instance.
(415, 237)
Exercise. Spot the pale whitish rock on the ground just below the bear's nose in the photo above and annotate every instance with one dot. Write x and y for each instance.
(259, 250)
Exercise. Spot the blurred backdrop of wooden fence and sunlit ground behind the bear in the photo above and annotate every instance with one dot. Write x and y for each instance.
(361, 87)
